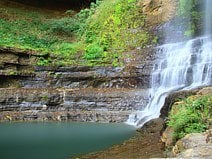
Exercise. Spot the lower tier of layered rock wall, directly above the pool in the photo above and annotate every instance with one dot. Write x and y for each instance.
(96, 105)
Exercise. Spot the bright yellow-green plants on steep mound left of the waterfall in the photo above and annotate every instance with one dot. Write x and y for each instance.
(118, 28)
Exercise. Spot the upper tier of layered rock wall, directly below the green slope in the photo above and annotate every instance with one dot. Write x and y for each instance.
(17, 68)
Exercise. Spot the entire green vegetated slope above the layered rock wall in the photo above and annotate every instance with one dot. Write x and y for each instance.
(95, 36)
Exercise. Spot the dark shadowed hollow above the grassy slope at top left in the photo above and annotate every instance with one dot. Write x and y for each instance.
(57, 4)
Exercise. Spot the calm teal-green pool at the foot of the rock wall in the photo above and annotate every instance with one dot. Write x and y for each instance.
(58, 140)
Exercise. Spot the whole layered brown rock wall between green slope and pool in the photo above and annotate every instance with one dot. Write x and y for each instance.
(77, 93)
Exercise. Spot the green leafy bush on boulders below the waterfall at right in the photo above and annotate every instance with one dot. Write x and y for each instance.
(191, 115)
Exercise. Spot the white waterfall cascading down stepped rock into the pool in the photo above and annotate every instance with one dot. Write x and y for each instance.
(181, 66)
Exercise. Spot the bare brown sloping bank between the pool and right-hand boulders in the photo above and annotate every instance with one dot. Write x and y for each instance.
(146, 144)
